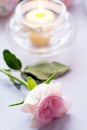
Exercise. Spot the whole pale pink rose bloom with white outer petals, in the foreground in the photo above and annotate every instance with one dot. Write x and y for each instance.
(45, 102)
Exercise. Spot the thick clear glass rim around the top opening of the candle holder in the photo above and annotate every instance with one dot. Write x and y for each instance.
(20, 16)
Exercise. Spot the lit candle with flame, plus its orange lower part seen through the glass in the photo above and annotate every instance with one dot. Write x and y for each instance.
(39, 16)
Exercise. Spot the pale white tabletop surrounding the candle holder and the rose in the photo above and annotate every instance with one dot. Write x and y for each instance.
(74, 83)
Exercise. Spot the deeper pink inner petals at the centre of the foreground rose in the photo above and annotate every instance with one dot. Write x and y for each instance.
(50, 108)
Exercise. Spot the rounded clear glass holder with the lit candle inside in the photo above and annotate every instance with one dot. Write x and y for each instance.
(41, 32)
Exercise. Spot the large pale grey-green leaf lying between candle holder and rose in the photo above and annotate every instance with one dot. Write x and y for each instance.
(43, 70)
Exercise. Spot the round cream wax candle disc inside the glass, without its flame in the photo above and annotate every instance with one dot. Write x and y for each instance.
(37, 17)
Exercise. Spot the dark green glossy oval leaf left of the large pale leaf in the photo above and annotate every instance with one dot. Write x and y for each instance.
(11, 60)
